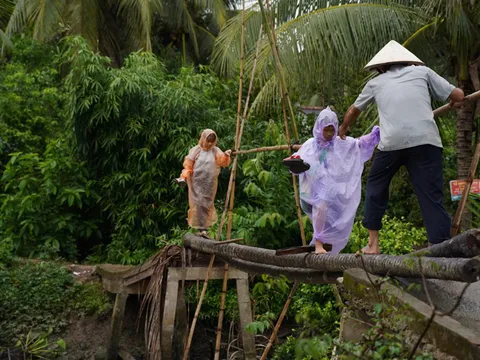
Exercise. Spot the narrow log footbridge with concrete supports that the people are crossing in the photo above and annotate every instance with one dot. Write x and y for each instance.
(162, 279)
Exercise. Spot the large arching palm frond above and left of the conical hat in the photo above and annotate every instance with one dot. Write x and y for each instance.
(321, 47)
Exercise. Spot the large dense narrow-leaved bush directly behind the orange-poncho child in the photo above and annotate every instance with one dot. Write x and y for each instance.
(133, 126)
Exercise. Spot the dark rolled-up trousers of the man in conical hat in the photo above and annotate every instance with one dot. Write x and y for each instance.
(424, 166)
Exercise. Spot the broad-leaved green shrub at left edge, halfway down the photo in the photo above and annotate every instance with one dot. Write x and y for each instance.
(46, 204)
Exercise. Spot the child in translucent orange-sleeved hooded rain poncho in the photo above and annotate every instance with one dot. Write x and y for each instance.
(201, 168)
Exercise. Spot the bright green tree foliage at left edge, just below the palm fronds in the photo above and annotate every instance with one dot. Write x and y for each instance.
(31, 99)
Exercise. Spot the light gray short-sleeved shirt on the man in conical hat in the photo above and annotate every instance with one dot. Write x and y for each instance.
(403, 96)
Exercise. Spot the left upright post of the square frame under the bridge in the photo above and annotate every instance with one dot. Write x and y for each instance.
(169, 313)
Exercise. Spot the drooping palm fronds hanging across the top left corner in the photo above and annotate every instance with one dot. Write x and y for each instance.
(115, 28)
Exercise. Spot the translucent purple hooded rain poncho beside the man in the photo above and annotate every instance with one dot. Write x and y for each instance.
(330, 190)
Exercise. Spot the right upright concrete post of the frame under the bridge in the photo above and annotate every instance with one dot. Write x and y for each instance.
(245, 313)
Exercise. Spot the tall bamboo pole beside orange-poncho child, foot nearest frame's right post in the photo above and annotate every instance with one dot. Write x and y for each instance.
(232, 198)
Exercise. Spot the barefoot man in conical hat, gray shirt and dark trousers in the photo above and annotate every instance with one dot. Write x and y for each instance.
(408, 136)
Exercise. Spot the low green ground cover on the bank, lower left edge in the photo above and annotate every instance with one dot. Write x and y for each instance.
(37, 297)
